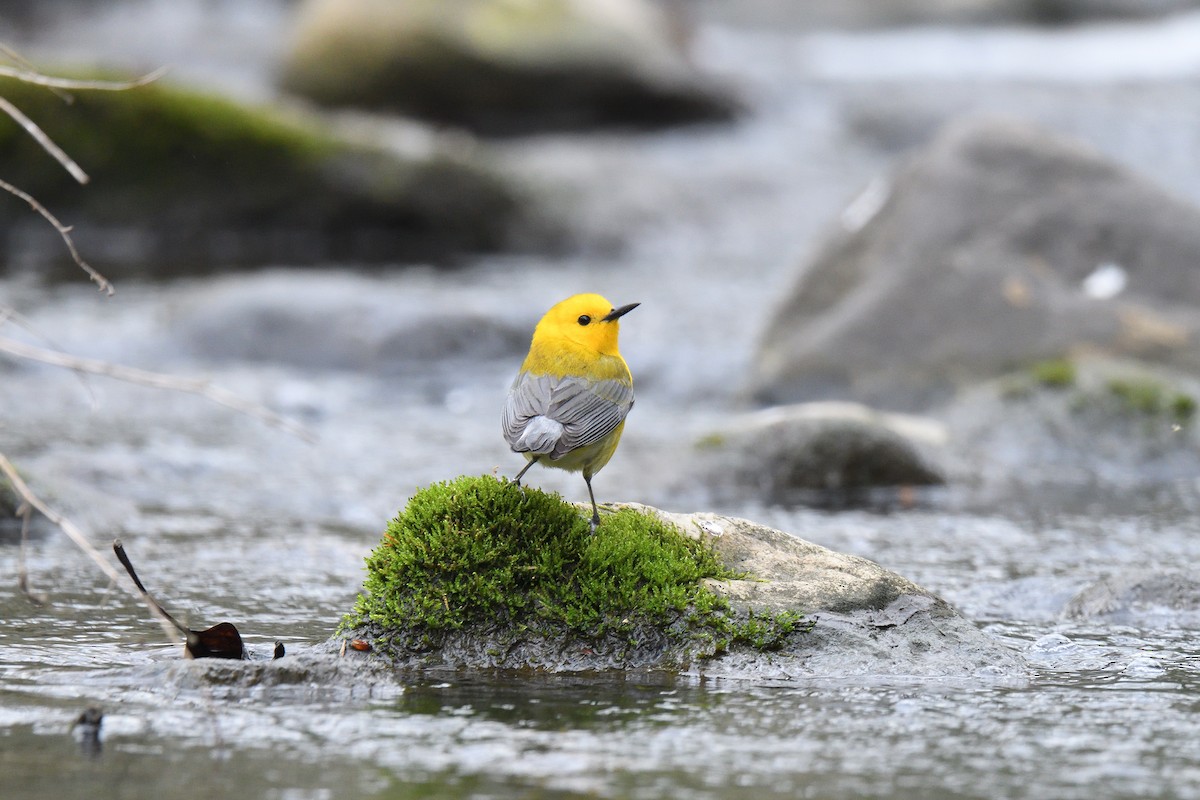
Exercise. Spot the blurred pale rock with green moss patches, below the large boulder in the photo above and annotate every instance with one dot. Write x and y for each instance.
(1084, 436)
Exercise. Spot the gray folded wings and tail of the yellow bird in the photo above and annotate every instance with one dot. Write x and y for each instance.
(575, 413)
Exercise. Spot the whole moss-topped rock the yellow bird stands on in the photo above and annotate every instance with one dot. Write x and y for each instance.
(478, 573)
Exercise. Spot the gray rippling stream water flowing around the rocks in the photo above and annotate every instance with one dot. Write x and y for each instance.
(400, 374)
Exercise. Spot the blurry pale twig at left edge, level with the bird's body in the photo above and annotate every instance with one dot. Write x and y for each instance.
(158, 381)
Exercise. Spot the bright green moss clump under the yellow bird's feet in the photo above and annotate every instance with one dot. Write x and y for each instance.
(481, 552)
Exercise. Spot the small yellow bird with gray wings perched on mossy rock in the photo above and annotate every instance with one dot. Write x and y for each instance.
(568, 406)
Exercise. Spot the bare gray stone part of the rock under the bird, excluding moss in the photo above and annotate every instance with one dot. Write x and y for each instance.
(868, 622)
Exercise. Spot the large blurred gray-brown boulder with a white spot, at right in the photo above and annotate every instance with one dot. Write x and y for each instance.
(1000, 245)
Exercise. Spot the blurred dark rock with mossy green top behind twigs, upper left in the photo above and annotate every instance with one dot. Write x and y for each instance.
(182, 181)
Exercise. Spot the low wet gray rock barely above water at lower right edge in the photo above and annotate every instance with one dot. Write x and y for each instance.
(1135, 596)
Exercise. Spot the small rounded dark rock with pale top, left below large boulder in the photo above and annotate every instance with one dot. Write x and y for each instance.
(820, 454)
